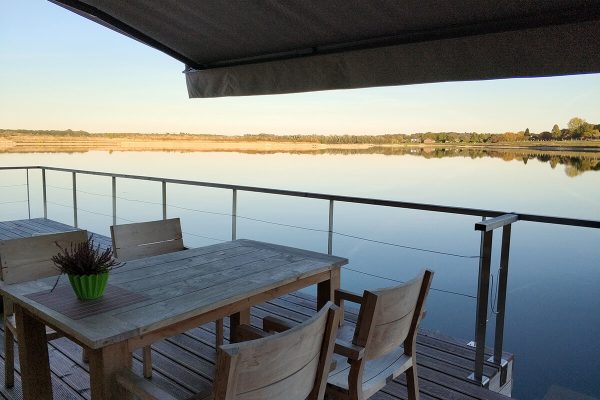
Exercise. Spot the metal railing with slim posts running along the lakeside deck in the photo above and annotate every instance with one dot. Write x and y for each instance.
(498, 219)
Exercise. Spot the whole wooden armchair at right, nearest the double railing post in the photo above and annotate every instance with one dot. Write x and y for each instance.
(383, 344)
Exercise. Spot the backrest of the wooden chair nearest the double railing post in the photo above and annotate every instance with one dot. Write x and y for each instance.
(389, 317)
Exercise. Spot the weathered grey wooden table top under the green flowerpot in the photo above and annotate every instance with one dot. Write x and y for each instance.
(179, 286)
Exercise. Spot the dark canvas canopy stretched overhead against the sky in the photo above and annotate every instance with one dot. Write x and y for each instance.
(250, 47)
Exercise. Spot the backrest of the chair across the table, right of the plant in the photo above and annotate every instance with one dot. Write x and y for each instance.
(144, 239)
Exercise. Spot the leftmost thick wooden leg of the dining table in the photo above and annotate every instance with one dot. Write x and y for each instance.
(33, 356)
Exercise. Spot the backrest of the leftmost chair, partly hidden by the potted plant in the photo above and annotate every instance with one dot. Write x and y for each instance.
(30, 258)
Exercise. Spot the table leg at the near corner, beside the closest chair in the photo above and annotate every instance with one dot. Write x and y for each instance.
(104, 363)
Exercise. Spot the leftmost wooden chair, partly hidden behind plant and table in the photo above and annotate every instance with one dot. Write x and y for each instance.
(27, 259)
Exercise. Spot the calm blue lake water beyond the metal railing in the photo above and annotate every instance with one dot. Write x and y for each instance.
(553, 303)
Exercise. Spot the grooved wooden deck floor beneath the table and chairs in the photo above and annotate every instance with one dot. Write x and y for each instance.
(184, 364)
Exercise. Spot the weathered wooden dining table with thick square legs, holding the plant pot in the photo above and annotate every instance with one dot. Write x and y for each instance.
(157, 297)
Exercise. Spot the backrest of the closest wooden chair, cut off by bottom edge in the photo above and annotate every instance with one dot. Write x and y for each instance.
(292, 365)
